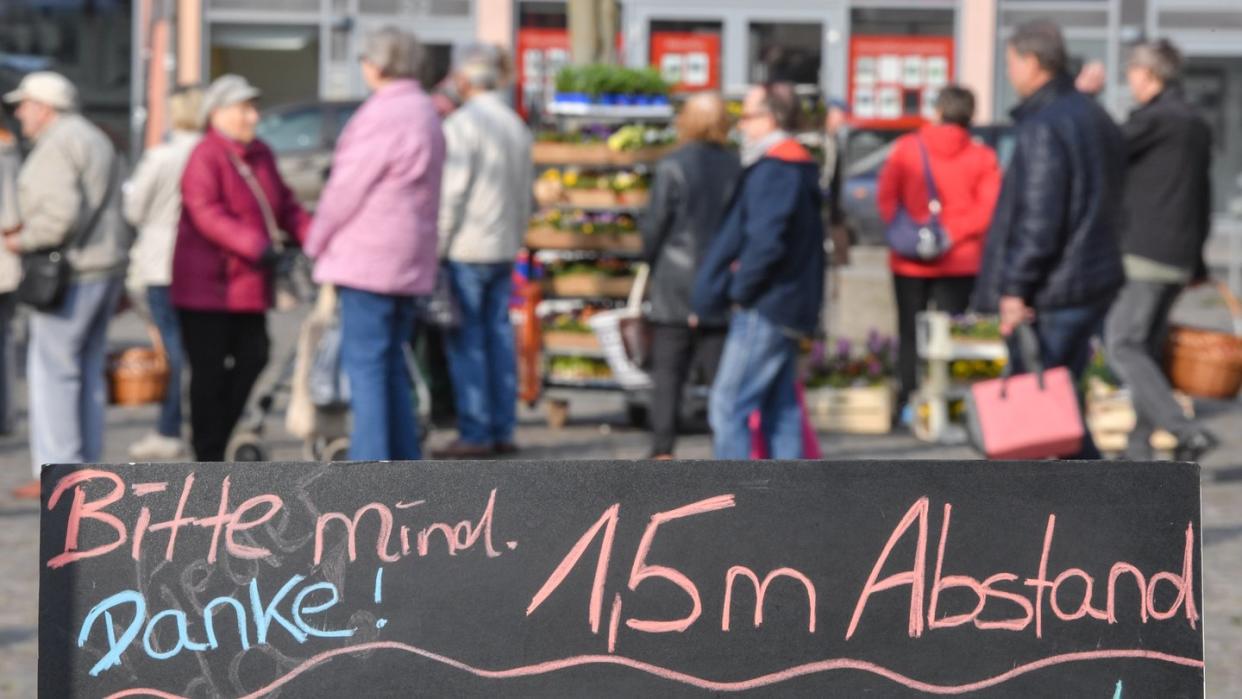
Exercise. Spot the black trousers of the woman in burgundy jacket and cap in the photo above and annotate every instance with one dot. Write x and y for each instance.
(227, 353)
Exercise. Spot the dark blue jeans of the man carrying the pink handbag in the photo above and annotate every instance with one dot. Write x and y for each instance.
(1065, 341)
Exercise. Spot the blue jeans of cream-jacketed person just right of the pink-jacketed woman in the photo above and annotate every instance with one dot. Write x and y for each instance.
(483, 358)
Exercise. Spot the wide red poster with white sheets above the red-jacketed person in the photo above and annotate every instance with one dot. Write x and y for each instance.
(895, 80)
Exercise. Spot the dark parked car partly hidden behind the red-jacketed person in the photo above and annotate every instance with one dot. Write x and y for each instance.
(866, 153)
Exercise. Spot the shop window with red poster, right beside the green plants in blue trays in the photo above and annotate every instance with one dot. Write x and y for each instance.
(687, 53)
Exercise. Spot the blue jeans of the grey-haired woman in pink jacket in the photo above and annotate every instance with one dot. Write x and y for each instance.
(374, 331)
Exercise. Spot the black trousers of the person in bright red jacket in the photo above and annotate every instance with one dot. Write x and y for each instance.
(916, 295)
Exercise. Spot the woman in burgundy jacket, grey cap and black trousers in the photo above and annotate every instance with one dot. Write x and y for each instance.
(237, 214)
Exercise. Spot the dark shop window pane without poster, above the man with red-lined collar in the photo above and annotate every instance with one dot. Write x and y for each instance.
(787, 52)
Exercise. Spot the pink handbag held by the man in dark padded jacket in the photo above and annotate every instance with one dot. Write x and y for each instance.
(1030, 417)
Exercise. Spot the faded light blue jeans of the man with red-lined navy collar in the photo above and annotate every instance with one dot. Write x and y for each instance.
(757, 373)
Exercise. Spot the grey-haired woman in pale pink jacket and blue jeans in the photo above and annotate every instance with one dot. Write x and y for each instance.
(374, 238)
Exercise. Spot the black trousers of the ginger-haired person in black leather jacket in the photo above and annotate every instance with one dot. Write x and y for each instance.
(675, 352)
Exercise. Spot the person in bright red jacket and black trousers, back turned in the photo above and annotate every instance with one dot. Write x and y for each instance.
(968, 181)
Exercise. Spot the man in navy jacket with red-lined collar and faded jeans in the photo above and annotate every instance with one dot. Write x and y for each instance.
(768, 265)
